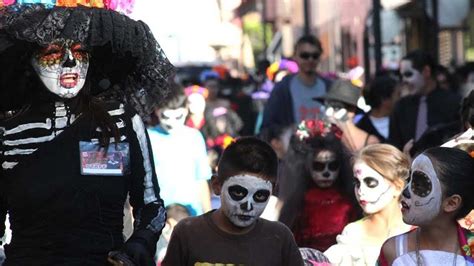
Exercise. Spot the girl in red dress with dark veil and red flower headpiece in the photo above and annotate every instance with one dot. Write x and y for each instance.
(314, 185)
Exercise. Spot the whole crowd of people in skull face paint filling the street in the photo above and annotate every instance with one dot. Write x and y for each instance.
(109, 158)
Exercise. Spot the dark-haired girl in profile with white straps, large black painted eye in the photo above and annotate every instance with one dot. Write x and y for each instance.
(438, 193)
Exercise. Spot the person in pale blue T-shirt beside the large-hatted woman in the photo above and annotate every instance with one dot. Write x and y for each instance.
(179, 154)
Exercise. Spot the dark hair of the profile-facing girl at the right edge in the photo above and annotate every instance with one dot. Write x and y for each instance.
(455, 170)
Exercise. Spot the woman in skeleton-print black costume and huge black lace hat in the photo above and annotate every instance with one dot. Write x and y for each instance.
(75, 79)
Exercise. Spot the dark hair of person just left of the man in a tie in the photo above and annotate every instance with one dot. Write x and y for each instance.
(381, 88)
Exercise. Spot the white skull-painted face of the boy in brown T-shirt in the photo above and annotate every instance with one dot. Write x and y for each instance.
(244, 197)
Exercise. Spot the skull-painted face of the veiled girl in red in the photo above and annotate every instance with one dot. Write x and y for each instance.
(324, 169)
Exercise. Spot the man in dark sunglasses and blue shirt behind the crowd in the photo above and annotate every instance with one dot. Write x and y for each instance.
(291, 99)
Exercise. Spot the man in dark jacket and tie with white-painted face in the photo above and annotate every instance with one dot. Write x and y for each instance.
(426, 106)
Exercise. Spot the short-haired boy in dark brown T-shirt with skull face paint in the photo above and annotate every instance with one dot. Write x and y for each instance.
(234, 234)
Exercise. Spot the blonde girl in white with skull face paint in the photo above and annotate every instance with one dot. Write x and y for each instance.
(379, 176)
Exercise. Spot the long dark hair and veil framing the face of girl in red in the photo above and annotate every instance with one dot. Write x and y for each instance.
(294, 173)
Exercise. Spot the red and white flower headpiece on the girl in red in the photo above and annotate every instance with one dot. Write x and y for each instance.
(315, 127)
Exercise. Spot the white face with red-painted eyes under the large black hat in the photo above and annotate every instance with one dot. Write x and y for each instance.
(62, 67)
